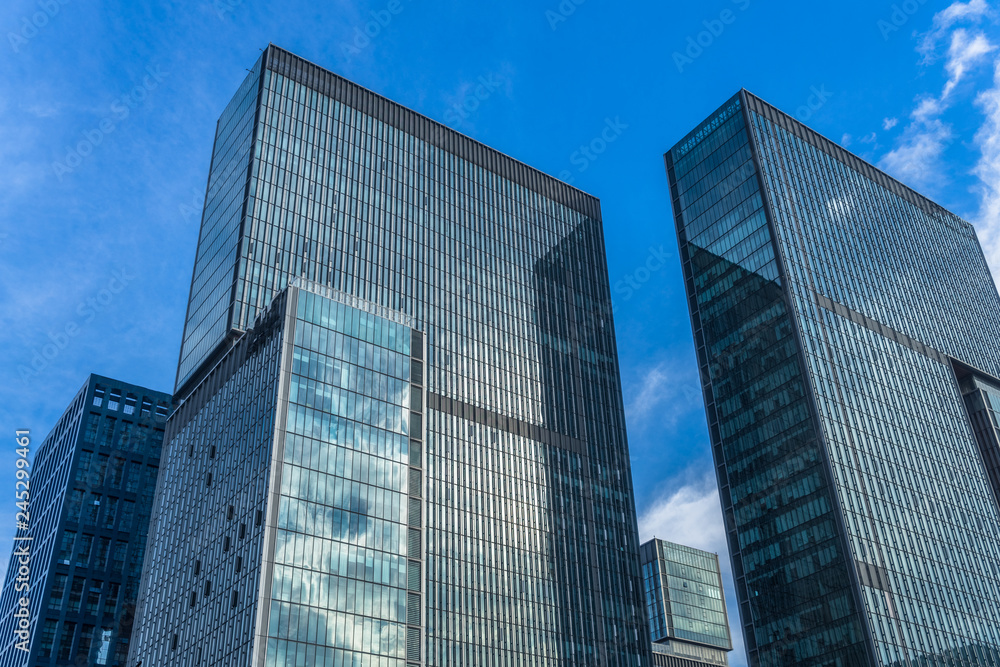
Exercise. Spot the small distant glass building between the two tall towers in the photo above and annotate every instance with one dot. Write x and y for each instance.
(685, 605)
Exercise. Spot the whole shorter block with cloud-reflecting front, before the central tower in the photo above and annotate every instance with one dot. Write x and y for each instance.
(288, 527)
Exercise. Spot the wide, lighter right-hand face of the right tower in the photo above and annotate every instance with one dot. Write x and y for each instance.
(916, 497)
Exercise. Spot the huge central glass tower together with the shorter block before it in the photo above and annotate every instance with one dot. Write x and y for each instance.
(470, 503)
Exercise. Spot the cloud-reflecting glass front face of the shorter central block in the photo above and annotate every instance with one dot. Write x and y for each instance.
(341, 563)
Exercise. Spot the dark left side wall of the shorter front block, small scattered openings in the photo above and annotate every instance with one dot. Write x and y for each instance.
(199, 596)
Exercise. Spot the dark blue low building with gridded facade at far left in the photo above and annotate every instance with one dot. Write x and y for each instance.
(90, 494)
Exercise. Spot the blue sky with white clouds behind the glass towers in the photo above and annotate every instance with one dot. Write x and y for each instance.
(107, 114)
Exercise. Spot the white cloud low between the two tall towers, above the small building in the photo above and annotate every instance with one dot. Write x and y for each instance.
(691, 514)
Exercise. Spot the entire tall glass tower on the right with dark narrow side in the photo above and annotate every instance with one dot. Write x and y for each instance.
(835, 311)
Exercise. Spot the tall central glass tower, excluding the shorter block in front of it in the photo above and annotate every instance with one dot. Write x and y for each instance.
(531, 540)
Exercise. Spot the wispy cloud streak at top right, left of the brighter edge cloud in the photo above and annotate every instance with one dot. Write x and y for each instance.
(917, 157)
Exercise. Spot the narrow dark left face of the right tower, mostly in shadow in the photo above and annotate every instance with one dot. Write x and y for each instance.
(796, 600)
